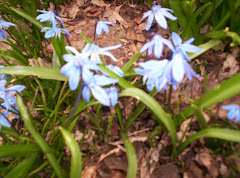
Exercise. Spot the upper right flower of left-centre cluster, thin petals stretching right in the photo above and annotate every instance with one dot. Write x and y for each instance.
(95, 51)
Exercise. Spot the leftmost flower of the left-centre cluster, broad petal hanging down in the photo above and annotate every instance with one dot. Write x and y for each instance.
(77, 65)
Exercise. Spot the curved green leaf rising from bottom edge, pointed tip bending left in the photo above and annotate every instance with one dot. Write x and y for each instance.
(76, 158)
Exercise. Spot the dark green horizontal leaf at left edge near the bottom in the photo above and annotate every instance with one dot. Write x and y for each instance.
(18, 150)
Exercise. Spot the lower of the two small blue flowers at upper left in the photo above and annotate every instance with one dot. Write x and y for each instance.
(54, 31)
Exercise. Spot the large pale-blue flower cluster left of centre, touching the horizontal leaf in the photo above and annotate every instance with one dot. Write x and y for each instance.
(83, 66)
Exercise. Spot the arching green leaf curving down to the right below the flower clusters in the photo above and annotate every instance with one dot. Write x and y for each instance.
(161, 116)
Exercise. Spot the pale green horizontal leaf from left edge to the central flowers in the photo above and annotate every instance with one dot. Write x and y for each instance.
(40, 72)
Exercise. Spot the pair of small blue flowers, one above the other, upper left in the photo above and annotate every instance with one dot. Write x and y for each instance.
(49, 16)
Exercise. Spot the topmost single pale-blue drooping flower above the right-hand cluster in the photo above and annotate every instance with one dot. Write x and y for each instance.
(159, 13)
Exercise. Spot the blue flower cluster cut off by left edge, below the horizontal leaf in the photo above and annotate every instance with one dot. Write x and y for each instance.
(8, 101)
